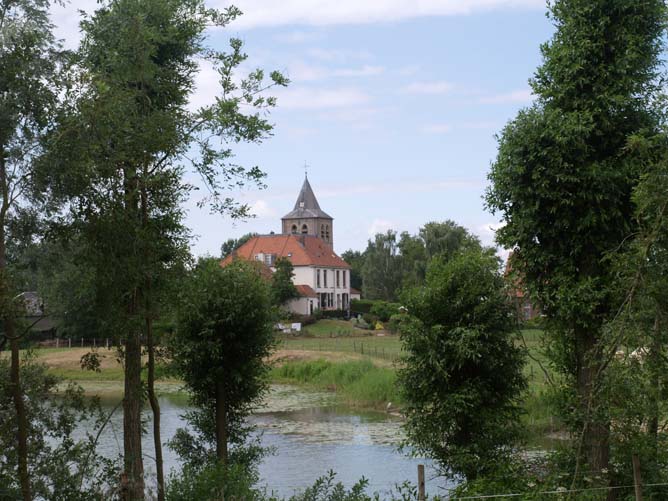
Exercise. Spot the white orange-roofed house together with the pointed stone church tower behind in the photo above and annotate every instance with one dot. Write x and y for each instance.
(322, 278)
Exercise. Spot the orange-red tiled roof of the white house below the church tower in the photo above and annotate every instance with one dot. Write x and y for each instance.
(301, 250)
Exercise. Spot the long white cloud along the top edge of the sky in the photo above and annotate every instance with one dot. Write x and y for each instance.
(328, 12)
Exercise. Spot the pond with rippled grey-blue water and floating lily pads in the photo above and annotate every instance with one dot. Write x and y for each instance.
(310, 435)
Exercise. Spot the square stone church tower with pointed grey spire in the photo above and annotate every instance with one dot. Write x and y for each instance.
(307, 218)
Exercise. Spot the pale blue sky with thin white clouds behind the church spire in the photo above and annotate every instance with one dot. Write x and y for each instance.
(392, 105)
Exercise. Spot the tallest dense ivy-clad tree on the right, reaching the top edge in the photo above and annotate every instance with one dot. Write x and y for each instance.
(563, 180)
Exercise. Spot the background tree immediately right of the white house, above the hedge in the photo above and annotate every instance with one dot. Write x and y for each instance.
(382, 272)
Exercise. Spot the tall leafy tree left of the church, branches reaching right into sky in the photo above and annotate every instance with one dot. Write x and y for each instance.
(118, 160)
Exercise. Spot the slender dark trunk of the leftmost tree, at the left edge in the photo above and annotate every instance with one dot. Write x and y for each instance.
(10, 333)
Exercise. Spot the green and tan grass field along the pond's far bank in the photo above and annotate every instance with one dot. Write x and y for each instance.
(359, 365)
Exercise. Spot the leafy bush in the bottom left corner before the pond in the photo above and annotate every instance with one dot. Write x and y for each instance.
(62, 465)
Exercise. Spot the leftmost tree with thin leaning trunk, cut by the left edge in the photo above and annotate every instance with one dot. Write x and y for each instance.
(29, 87)
